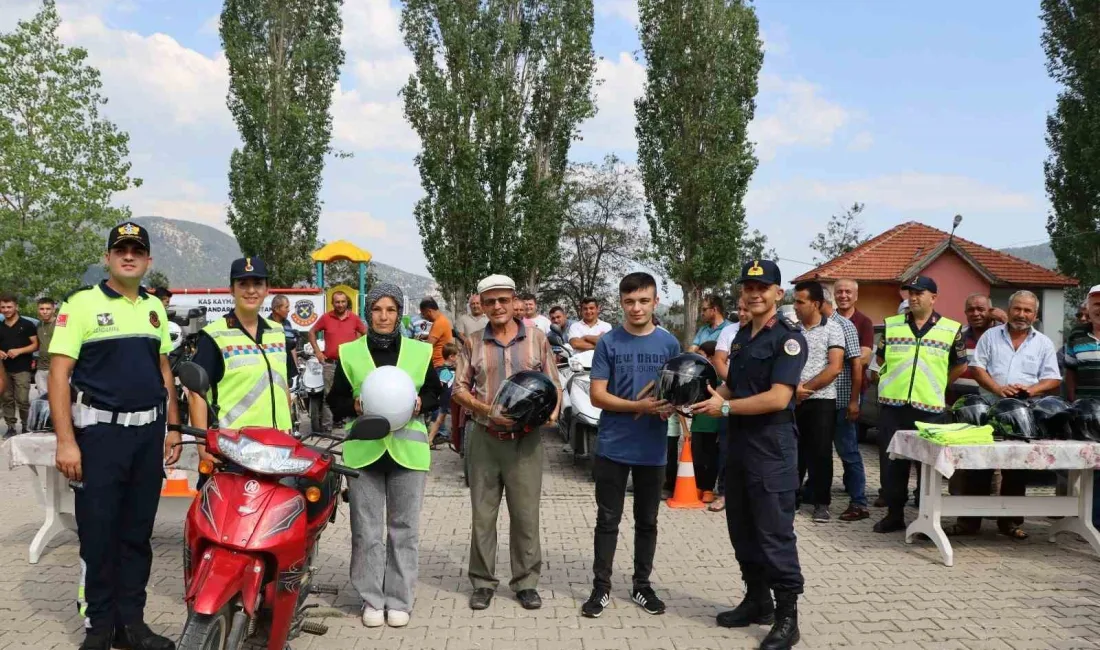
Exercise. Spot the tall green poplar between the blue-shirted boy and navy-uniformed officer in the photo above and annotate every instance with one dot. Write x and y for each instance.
(694, 150)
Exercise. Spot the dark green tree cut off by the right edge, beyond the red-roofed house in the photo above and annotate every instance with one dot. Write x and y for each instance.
(1072, 42)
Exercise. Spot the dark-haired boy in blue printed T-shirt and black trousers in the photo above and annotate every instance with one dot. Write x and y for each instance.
(632, 439)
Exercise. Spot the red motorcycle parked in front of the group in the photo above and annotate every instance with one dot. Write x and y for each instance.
(252, 533)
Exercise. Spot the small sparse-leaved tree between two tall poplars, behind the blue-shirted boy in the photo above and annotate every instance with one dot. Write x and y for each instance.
(601, 237)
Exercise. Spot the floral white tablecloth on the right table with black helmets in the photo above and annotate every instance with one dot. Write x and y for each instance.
(1047, 455)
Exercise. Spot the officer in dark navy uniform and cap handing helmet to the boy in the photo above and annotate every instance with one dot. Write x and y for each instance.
(766, 360)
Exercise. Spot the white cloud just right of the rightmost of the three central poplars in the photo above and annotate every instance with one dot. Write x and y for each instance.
(800, 116)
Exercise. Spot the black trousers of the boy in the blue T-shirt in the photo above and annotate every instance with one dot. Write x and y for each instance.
(611, 498)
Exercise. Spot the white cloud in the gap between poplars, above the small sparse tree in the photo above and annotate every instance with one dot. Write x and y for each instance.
(622, 82)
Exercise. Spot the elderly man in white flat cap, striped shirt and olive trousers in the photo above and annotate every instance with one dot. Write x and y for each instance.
(503, 462)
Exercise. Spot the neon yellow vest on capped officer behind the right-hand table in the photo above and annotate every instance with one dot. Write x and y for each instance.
(916, 370)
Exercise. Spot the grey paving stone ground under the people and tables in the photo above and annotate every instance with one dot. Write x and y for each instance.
(863, 590)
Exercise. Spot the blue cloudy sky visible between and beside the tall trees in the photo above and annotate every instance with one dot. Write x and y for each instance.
(921, 111)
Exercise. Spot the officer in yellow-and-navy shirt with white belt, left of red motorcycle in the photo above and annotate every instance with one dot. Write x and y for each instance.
(111, 392)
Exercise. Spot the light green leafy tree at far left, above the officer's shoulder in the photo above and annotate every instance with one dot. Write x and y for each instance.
(60, 161)
